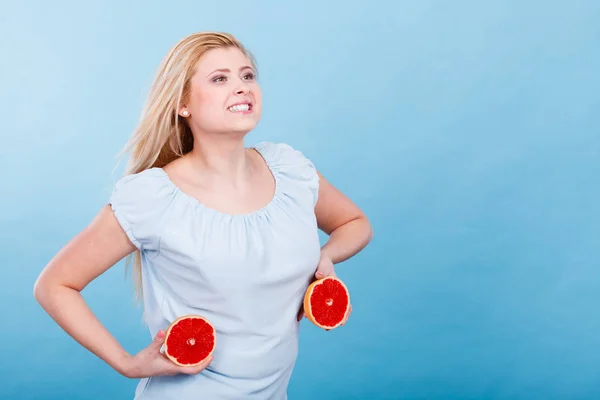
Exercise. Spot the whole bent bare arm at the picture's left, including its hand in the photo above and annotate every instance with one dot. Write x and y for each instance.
(93, 251)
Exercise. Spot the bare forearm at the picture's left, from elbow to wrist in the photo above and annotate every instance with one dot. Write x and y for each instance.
(68, 308)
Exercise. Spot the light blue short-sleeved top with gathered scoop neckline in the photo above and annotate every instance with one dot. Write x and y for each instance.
(246, 273)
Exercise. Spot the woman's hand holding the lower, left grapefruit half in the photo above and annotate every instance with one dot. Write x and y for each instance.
(151, 362)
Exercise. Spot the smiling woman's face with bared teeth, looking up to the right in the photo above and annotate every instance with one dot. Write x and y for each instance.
(224, 95)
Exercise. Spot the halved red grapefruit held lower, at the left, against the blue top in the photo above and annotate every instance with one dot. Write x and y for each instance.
(189, 340)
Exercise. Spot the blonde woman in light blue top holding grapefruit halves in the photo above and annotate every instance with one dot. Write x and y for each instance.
(217, 229)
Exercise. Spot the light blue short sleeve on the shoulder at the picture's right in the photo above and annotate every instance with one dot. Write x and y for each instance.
(293, 165)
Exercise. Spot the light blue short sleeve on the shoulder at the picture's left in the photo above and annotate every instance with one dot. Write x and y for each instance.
(139, 204)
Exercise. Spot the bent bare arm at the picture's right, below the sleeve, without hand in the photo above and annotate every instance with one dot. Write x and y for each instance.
(348, 228)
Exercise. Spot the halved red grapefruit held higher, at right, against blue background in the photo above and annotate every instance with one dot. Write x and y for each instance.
(327, 302)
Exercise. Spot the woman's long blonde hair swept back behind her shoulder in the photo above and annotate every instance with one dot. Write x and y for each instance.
(161, 136)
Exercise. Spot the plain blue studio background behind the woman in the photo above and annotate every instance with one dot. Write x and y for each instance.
(468, 131)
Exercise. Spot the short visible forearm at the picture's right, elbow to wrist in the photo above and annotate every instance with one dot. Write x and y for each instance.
(347, 240)
